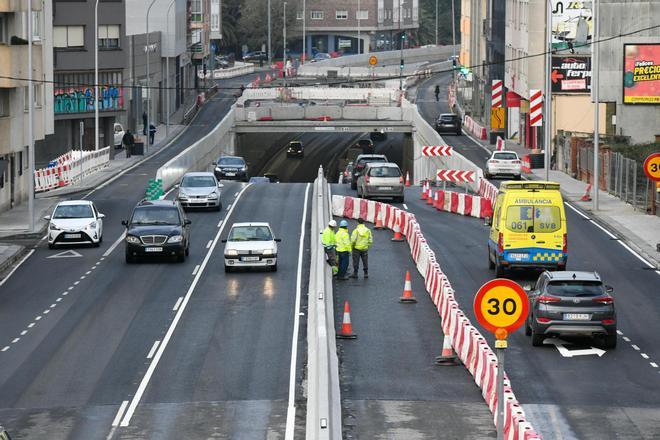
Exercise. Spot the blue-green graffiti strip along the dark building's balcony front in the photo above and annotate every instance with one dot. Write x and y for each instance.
(81, 99)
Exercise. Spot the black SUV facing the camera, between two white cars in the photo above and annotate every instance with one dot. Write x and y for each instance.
(158, 228)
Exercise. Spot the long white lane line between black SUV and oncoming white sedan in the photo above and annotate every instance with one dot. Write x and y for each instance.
(170, 331)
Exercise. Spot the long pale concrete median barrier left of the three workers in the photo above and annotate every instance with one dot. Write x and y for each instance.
(323, 396)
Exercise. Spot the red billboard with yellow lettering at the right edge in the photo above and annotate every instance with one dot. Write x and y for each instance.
(641, 74)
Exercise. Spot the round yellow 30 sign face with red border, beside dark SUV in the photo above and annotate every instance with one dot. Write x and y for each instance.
(501, 303)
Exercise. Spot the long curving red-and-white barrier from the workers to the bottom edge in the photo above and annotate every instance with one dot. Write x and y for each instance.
(468, 343)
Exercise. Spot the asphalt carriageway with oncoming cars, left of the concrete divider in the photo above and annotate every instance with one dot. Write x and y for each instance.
(79, 333)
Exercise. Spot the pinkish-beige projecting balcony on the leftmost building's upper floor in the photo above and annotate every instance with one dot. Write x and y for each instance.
(14, 64)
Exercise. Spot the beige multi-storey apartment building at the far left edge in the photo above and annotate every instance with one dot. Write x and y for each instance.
(14, 142)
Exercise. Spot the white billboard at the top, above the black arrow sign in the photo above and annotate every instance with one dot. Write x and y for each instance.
(571, 26)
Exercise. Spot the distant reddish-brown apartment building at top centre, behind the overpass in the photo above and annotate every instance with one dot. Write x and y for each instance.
(378, 24)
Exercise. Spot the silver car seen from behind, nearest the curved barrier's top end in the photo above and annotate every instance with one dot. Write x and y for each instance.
(381, 179)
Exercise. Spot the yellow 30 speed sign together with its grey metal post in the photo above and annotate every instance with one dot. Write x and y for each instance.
(501, 307)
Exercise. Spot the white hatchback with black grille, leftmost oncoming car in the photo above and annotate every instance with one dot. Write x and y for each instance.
(75, 221)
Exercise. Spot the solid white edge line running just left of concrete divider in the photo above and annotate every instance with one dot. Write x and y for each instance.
(291, 410)
